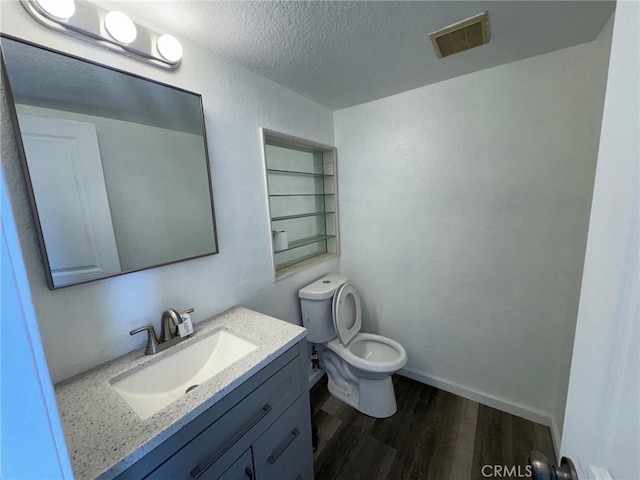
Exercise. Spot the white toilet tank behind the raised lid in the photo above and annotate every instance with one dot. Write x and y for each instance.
(315, 300)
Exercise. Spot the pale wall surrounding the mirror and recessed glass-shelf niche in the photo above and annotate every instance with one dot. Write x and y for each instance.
(86, 325)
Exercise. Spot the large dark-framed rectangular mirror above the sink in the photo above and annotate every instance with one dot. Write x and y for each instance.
(116, 165)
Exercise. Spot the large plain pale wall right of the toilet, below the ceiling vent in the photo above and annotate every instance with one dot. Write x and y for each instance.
(464, 211)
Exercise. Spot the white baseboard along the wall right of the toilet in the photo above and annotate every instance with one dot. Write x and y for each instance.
(519, 410)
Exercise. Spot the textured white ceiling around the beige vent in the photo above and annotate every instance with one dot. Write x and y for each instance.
(345, 53)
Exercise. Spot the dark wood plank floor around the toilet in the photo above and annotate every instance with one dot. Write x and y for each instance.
(434, 435)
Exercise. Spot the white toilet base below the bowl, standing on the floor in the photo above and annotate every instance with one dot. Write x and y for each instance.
(375, 398)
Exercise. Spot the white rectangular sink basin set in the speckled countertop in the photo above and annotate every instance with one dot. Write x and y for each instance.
(155, 386)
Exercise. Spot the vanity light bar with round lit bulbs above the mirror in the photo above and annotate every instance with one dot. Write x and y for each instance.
(113, 30)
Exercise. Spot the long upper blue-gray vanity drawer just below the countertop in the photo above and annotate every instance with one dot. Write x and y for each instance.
(214, 449)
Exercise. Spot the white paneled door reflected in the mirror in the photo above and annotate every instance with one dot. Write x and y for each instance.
(68, 182)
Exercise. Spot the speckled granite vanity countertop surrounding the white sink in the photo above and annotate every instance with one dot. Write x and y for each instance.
(104, 436)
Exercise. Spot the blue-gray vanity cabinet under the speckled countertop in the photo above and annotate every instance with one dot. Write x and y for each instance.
(259, 431)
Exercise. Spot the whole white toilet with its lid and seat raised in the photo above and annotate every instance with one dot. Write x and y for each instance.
(359, 365)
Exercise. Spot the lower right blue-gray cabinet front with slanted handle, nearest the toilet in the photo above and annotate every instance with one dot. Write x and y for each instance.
(284, 451)
